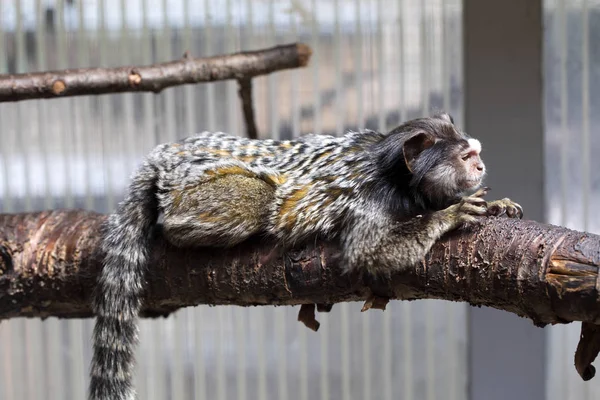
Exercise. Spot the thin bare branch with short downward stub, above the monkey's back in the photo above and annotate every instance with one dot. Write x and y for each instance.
(154, 78)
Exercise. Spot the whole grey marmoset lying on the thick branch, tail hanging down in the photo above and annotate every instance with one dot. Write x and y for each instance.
(386, 197)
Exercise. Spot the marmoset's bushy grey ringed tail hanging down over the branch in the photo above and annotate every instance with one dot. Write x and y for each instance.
(120, 289)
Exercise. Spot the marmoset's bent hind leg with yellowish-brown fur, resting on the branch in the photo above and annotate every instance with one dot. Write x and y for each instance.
(222, 211)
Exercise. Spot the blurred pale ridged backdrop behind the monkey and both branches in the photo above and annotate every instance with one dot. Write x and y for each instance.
(375, 63)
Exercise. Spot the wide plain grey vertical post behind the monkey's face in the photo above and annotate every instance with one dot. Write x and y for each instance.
(503, 99)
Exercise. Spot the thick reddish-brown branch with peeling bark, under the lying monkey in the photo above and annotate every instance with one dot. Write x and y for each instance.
(49, 261)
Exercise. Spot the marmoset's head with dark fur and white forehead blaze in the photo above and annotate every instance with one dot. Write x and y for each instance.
(435, 159)
